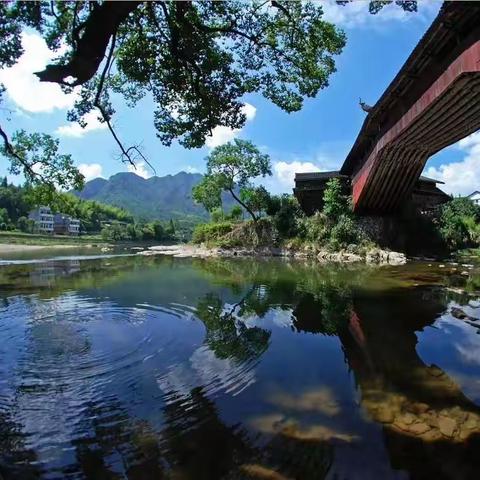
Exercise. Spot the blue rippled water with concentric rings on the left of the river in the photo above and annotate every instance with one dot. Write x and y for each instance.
(77, 371)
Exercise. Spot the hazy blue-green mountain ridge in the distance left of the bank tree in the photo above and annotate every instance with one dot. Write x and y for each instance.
(151, 198)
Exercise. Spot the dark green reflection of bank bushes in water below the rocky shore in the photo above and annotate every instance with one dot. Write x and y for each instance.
(318, 297)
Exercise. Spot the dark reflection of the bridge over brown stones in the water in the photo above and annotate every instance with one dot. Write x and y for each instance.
(430, 426)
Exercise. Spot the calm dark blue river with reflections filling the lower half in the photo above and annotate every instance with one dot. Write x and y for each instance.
(163, 368)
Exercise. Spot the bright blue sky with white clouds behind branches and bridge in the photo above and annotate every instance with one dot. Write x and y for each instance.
(318, 137)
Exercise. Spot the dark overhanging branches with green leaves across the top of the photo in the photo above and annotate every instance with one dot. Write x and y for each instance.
(197, 59)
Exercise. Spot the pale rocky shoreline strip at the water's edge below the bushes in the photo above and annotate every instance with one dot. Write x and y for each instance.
(373, 256)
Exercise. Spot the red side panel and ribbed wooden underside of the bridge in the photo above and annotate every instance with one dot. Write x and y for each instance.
(448, 111)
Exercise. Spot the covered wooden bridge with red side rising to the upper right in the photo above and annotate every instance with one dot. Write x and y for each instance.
(433, 102)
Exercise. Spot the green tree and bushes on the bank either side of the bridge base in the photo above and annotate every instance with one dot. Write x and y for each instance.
(278, 220)
